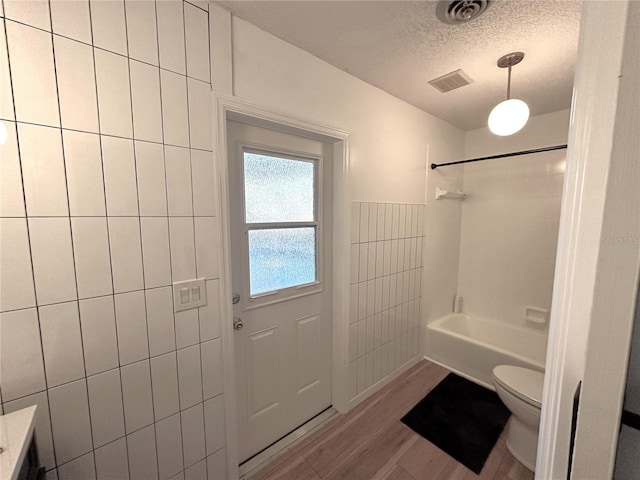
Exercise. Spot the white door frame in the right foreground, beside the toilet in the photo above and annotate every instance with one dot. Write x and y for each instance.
(597, 265)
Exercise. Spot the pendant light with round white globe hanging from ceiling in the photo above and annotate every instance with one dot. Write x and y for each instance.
(509, 116)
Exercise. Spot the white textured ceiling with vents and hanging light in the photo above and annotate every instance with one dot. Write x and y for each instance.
(399, 46)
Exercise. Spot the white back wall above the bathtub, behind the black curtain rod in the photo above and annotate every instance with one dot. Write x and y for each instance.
(510, 221)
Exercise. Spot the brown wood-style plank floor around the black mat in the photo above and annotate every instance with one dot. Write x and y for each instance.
(370, 442)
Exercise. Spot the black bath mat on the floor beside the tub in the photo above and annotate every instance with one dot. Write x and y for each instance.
(461, 418)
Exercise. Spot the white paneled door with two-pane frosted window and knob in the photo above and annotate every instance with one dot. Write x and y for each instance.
(280, 221)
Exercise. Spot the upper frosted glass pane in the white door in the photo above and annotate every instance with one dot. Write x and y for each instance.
(278, 189)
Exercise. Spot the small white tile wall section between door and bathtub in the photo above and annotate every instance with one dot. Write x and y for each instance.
(386, 280)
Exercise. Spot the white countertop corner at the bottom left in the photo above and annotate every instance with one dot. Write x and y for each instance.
(16, 431)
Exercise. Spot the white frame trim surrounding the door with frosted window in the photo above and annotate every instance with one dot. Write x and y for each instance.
(226, 108)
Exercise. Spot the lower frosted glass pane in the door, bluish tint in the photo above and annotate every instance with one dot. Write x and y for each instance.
(281, 258)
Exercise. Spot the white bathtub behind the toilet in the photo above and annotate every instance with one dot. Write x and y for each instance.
(472, 347)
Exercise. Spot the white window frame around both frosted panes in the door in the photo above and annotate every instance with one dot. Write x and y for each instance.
(295, 291)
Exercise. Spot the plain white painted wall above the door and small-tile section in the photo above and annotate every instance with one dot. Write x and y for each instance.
(389, 139)
